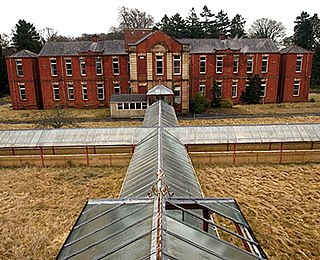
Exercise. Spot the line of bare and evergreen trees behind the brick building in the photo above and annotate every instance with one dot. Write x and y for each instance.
(206, 24)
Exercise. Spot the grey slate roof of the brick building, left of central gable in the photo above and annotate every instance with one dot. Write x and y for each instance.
(75, 48)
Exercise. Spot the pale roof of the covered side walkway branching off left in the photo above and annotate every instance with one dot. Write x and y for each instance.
(72, 137)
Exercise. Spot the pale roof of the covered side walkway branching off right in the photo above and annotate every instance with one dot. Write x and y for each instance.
(247, 133)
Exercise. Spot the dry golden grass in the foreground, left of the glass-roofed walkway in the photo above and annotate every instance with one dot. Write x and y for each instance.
(40, 205)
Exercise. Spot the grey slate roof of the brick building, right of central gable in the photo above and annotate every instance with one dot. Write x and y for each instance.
(242, 45)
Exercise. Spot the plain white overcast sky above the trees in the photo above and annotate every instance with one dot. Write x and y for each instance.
(72, 18)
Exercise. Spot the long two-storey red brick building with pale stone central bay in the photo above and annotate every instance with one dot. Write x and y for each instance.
(86, 73)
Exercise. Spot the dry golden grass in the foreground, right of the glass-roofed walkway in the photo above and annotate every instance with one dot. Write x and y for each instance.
(280, 202)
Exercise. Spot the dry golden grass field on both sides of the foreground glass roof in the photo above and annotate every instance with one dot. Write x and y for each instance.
(40, 205)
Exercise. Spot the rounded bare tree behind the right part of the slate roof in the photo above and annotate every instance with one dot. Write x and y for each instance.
(267, 28)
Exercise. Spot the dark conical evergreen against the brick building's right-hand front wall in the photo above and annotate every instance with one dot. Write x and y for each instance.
(252, 94)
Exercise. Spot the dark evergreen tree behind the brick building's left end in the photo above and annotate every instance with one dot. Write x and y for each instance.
(25, 36)
